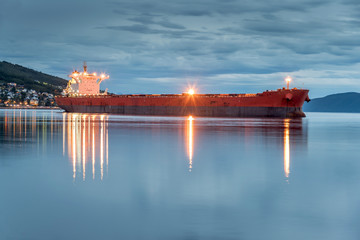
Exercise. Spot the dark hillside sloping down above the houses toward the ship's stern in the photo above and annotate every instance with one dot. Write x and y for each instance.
(31, 79)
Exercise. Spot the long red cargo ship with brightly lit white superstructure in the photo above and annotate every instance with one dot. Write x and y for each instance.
(83, 95)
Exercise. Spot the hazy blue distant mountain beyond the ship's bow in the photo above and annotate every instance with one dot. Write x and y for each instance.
(341, 102)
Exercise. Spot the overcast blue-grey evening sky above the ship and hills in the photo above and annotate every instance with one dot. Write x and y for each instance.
(221, 46)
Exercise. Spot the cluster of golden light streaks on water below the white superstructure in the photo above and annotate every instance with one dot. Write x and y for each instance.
(85, 141)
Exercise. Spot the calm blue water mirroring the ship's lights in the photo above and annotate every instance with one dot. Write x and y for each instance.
(71, 176)
